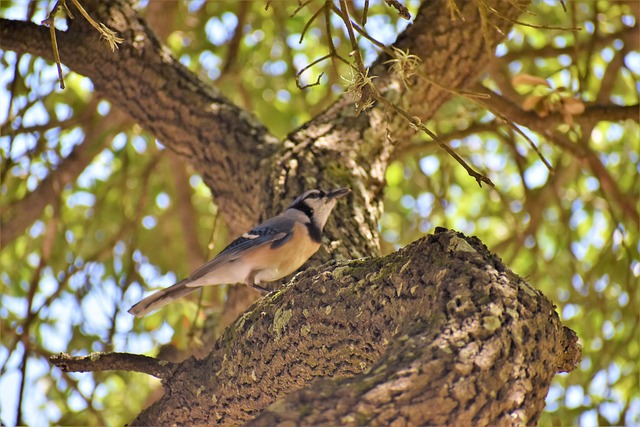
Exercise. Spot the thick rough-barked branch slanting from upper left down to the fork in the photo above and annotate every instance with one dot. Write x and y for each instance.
(184, 113)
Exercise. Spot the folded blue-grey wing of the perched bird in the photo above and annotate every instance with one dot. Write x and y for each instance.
(267, 232)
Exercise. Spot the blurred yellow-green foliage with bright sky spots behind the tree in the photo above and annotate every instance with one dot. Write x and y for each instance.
(123, 225)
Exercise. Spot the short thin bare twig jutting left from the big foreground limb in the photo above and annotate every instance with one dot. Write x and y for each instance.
(95, 362)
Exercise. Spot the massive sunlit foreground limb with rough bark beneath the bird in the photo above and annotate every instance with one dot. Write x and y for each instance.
(439, 333)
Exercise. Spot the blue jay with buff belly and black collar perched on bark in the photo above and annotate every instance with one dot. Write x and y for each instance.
(270, 251)
